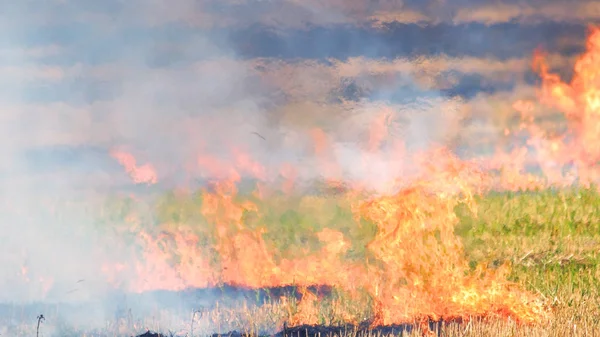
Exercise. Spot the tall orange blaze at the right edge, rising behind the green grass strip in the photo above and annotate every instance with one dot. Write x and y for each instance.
(573, 155)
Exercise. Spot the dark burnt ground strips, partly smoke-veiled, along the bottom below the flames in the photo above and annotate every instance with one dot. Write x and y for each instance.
(118, 305)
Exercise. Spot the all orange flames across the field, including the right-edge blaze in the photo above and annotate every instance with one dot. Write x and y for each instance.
(413, 267)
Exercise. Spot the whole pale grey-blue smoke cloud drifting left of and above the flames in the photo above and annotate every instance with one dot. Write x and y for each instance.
(168, 83)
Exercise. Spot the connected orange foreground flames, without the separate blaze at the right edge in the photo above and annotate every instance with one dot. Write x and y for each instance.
(414, 267)
